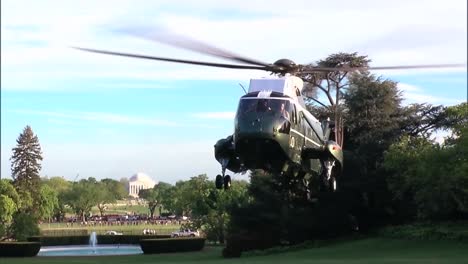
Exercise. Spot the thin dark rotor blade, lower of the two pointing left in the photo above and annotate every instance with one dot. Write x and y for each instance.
(220, 65)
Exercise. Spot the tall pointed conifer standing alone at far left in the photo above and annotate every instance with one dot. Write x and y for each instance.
(25, 165)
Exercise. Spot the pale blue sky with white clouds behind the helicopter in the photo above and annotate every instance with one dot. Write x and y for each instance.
(111, 117)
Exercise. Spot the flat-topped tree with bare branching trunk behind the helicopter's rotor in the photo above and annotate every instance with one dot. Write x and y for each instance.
(333, 84)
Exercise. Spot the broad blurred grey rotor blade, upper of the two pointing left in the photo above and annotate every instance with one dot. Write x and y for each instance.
(193, 45)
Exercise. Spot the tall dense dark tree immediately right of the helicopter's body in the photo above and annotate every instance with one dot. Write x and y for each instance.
(374, 120)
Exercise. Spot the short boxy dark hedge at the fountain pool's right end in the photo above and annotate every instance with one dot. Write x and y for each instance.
(155, 246)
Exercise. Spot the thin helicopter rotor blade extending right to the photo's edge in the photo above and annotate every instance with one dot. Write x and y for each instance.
(349, 69)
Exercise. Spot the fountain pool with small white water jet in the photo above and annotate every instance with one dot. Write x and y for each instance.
(91, 249)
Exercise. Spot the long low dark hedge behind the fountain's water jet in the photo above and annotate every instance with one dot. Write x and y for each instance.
(84, 240)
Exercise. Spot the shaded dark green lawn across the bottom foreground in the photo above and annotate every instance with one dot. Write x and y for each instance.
(372, 250)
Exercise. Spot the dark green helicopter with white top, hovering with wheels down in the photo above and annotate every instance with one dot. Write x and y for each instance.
(273, 130)
